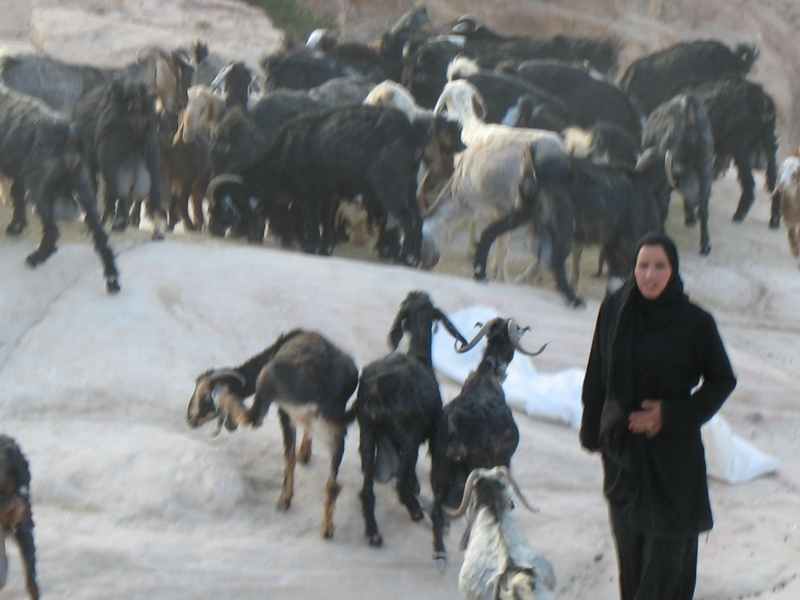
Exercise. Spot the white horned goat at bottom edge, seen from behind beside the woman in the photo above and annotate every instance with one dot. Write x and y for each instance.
(499, 563)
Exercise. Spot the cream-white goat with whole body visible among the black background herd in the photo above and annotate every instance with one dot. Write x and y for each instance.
(485, 183)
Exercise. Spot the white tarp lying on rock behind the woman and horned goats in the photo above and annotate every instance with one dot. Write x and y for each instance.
(557, 397)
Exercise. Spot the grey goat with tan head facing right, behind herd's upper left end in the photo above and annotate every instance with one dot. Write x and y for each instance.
(61, 84)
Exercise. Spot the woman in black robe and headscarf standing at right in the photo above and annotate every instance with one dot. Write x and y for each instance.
(643, 409)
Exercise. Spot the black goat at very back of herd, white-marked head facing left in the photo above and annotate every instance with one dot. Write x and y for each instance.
(491, 48)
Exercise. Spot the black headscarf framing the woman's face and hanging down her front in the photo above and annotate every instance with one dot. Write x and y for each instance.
(635, 314)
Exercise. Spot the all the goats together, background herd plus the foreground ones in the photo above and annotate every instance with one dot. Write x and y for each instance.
(409, 134)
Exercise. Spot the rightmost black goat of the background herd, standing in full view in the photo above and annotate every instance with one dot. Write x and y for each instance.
(743, 125)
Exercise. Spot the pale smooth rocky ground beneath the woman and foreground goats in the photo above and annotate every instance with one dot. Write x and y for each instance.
(130, 503)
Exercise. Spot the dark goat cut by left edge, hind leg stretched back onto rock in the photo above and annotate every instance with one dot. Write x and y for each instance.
(39, 150)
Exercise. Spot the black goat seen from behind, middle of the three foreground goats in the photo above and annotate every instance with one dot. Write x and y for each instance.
(398, 406)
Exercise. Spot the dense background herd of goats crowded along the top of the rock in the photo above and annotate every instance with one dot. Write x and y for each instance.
(401, 138)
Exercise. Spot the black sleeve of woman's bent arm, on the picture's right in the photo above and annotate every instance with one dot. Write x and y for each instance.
(717, 384)
